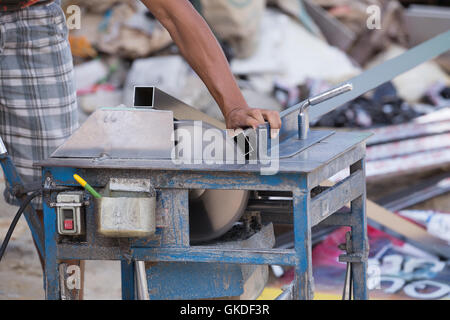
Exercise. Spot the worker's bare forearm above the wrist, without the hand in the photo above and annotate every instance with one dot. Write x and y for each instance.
(201, 50)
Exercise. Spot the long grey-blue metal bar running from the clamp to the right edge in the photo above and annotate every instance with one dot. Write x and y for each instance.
(370, 80)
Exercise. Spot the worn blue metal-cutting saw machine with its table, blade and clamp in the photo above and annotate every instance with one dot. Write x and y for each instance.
(189, 209)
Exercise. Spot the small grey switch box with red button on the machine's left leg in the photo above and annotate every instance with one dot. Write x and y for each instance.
(70, 215)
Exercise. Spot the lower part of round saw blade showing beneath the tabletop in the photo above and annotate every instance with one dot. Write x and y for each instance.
(214, 212)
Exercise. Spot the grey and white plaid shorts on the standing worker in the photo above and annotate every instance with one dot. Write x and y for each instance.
(38, 108)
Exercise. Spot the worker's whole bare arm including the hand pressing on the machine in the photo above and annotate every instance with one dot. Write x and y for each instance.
(202, 51)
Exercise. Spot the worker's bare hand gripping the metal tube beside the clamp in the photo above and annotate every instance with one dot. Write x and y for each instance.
(245, 117)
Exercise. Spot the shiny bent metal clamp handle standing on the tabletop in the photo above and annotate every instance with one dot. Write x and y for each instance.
(303, 117)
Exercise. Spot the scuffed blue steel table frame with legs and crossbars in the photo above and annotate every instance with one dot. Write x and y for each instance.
(298, 175)
